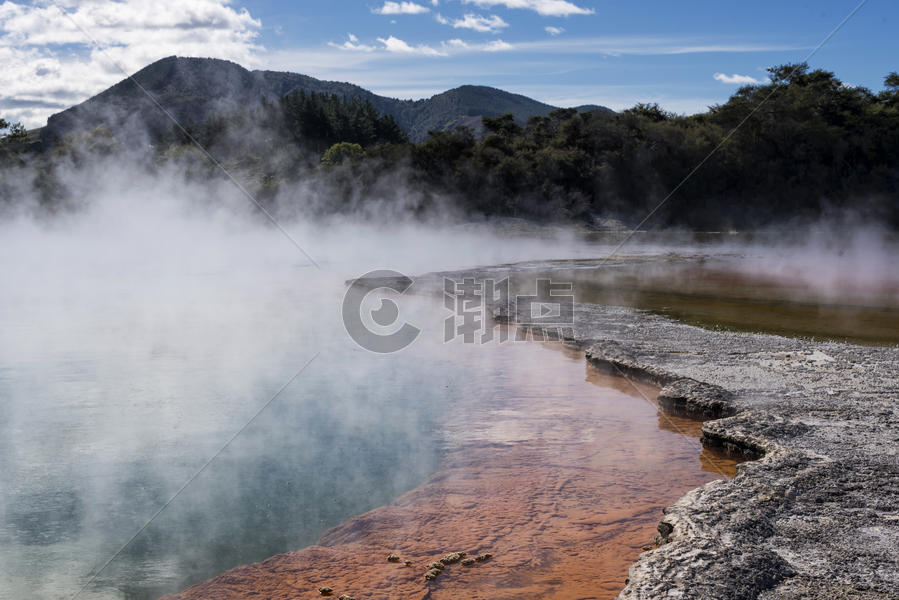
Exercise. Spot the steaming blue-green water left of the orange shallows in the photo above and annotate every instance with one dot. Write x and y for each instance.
(104, 419)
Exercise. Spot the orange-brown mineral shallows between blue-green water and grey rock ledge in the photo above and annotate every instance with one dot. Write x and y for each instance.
(553, 489)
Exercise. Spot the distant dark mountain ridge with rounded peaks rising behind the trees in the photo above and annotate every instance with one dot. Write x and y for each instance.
(193, 89)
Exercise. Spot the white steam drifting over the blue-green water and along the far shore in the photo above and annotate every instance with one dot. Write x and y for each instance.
(141, 331)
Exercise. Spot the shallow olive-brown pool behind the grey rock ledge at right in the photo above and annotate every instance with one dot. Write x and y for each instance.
(737, 293)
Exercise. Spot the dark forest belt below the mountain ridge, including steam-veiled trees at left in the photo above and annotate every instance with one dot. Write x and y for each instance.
(799, 146)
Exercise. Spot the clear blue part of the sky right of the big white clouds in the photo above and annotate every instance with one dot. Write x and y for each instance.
(622, 53)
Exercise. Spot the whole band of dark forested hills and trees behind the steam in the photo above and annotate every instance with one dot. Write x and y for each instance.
(801, 146)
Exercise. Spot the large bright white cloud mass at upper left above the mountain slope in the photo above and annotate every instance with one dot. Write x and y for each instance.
(49, 64)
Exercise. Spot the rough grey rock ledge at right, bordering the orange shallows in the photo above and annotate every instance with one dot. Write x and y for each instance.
(816, 515)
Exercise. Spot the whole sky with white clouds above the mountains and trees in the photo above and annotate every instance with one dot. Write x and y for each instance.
(685, 55)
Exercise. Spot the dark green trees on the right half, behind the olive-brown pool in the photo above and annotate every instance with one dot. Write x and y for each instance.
(805, 145)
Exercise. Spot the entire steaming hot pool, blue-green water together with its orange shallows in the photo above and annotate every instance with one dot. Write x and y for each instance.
(123, 372)
